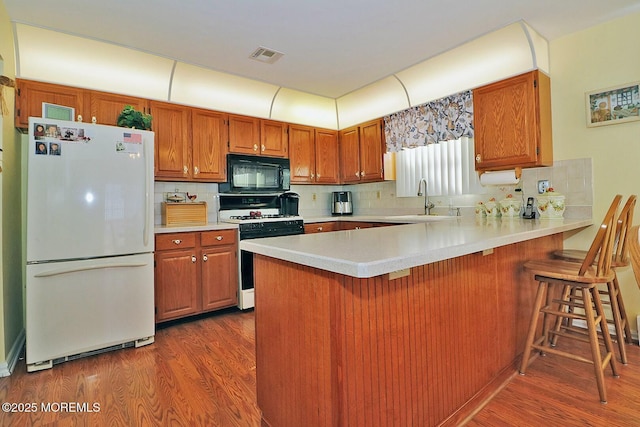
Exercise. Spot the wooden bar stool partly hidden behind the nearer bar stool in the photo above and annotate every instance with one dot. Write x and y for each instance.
(620, 258)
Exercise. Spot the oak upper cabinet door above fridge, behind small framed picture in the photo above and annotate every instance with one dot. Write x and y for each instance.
(31, 95)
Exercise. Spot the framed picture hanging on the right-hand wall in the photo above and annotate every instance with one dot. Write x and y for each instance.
(618, 104)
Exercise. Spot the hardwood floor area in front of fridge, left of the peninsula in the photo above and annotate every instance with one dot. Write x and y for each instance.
(200, 373)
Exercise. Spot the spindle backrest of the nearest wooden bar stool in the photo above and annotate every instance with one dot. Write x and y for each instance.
(602, 247)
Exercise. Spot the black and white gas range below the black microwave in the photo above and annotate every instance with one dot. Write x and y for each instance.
(257, 215)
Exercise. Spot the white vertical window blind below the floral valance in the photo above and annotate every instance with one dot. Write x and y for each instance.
(448, 167)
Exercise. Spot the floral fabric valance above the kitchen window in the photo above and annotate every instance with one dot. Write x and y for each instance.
(440, 120)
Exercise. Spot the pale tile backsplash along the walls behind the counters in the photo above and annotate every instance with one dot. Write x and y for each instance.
(573, 178)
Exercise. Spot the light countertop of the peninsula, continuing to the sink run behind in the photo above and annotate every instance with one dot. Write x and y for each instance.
(375, 251)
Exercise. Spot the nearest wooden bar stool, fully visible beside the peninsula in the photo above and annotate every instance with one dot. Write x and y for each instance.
(557, 281)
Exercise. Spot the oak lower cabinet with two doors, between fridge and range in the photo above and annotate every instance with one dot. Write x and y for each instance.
(195, 273)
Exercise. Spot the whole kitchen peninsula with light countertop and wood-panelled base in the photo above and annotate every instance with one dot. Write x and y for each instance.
(411, 325)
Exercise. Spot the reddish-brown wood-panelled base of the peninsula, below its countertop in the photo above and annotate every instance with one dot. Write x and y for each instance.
(425, 349)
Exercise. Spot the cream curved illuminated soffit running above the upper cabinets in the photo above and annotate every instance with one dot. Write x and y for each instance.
(55, 57)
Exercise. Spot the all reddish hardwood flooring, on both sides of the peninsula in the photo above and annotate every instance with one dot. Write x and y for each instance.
(202, 373)
